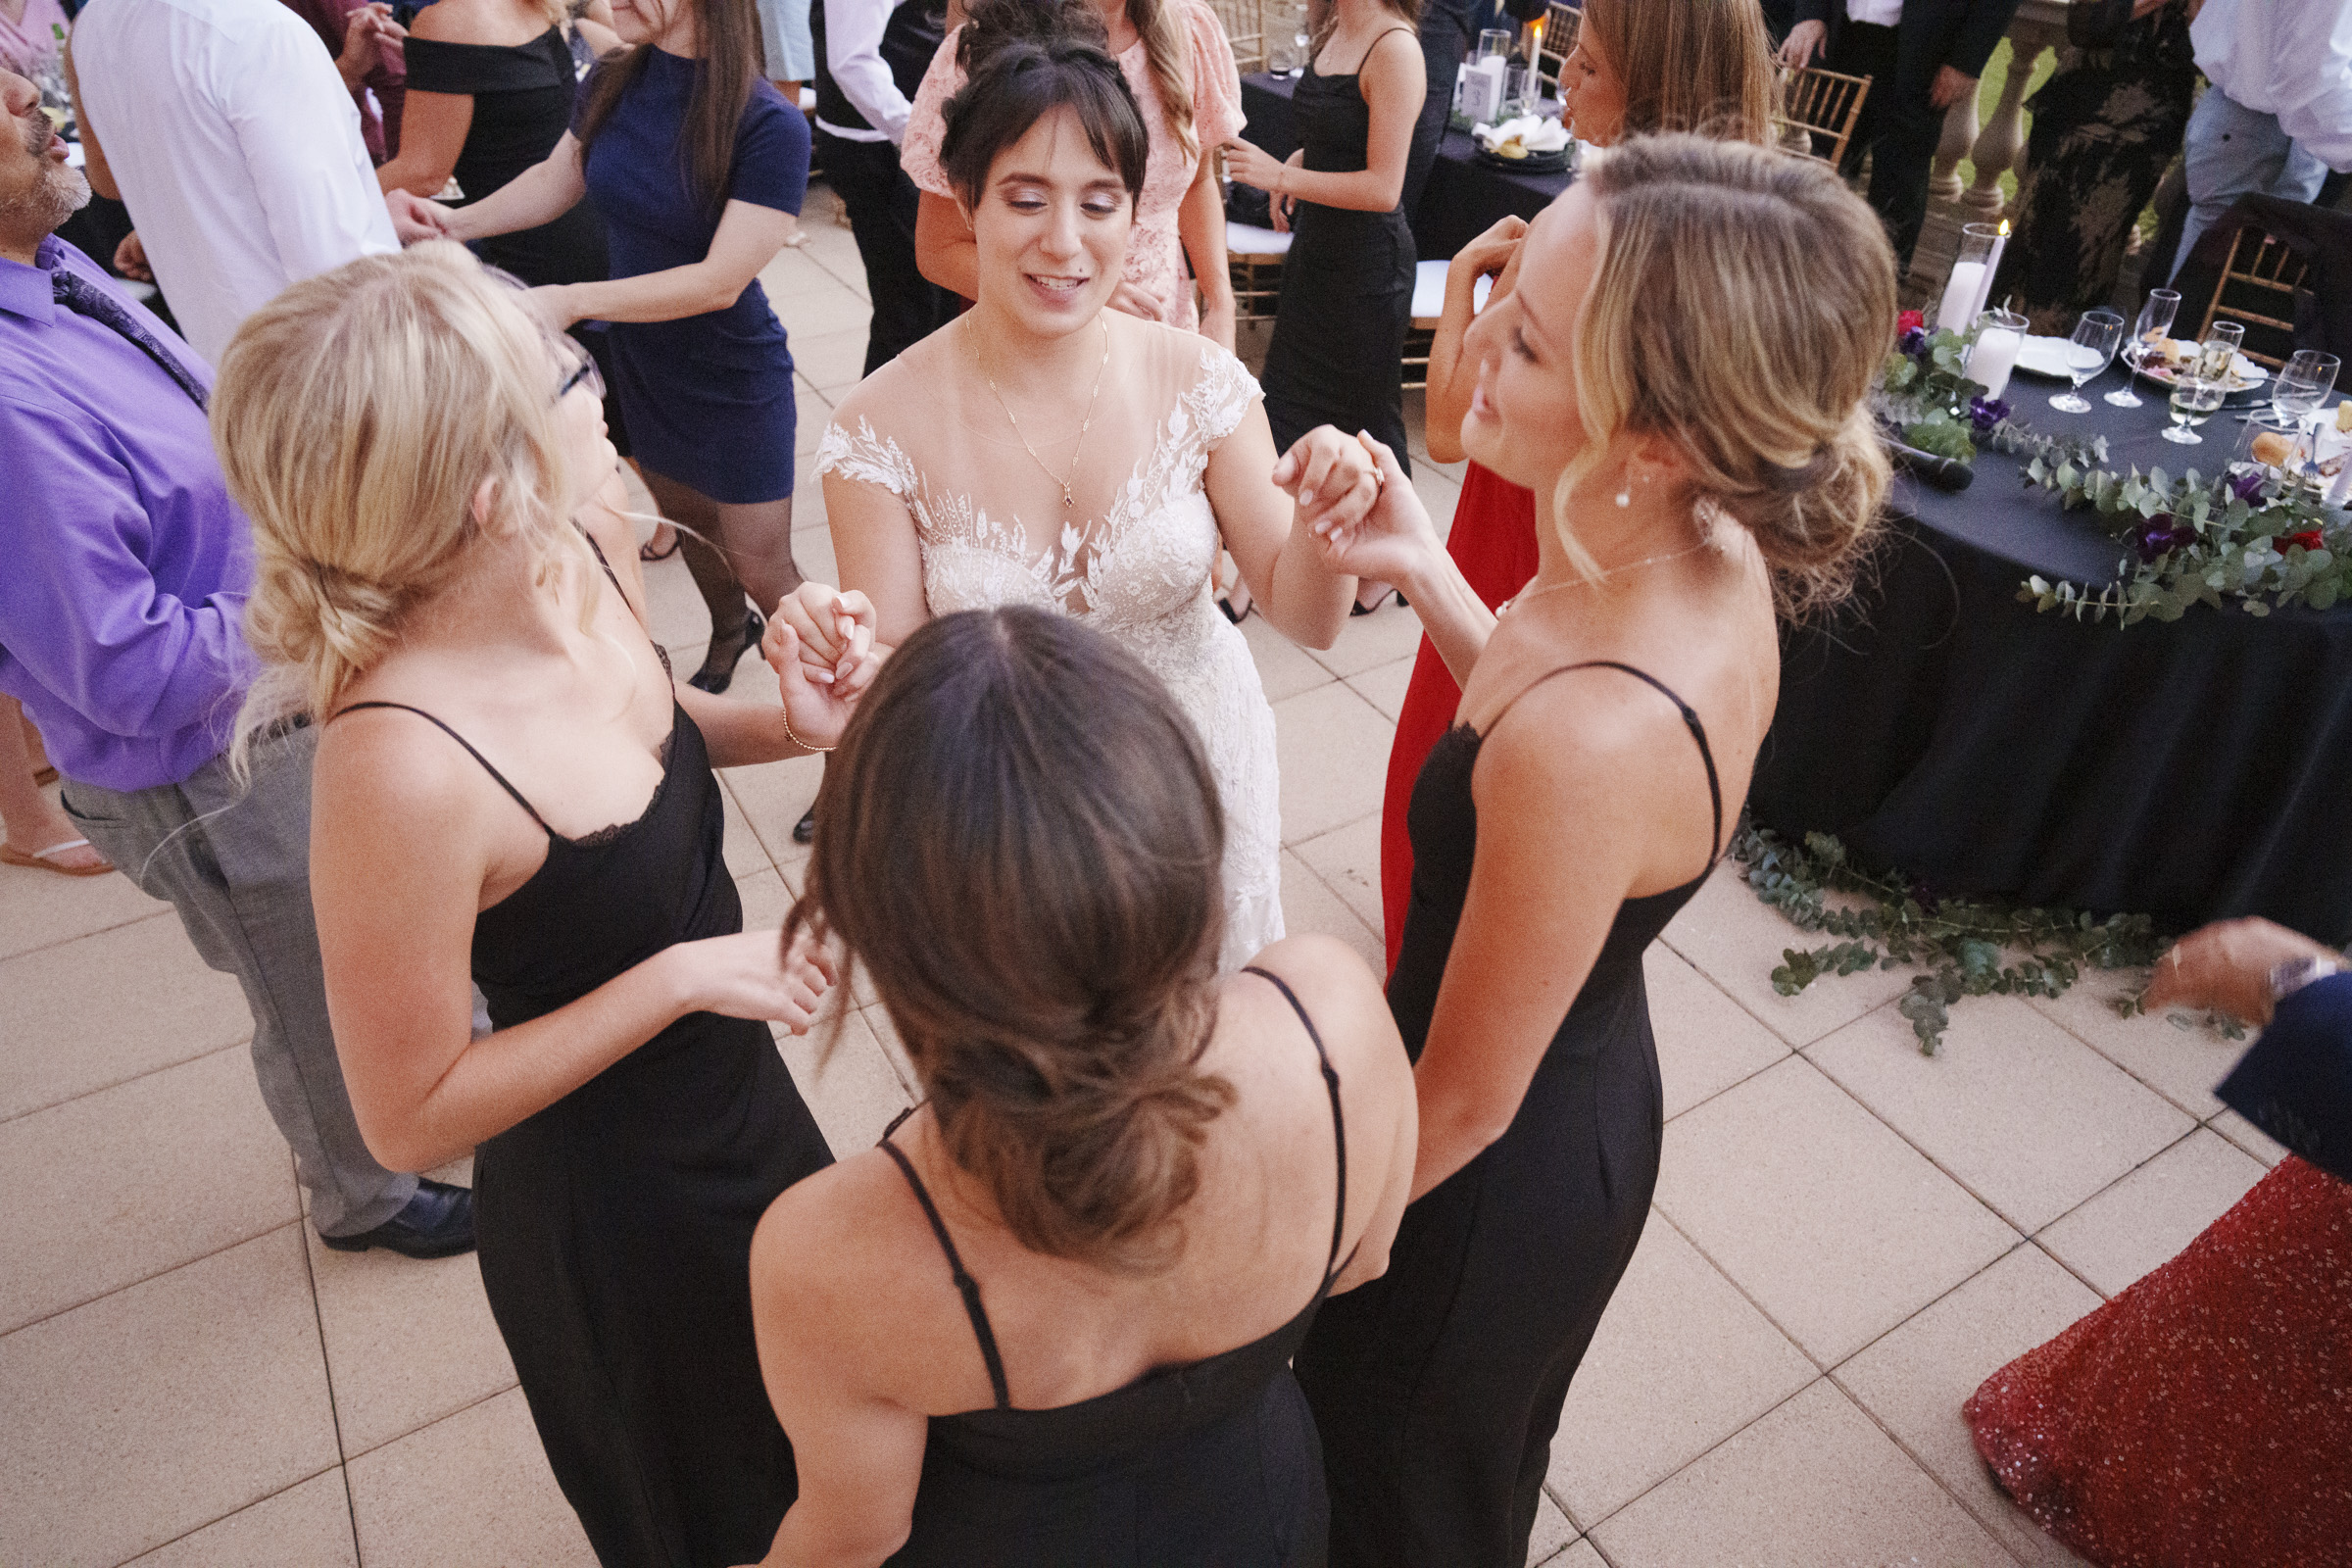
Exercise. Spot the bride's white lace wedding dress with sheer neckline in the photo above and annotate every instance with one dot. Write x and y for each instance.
(1137, 572)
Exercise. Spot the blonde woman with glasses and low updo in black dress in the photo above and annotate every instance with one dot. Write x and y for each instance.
(514, 793)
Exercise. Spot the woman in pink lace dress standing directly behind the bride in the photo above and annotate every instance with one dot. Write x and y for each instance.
(1182, 72)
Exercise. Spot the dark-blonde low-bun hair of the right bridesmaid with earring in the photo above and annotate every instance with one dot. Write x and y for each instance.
(1742, 311)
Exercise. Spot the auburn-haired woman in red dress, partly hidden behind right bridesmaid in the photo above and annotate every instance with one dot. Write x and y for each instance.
(1636, 69)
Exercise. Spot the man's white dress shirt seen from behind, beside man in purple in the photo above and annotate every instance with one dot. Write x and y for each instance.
(234, 145)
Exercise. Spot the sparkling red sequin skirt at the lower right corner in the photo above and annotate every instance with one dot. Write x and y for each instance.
(2203, 1416)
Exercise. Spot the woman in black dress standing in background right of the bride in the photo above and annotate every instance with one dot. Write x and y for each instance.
(1337, 356)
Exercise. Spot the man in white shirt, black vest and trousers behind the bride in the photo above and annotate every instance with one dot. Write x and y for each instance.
(869, 60)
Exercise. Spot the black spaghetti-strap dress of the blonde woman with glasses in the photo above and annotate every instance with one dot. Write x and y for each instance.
(615, 1226)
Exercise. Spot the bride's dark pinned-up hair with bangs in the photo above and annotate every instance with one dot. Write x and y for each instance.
(1022, 62)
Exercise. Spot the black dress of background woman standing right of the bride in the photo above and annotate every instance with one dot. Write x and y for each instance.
(1337, 356)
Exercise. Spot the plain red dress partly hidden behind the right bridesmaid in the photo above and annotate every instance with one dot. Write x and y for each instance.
(1495, 544)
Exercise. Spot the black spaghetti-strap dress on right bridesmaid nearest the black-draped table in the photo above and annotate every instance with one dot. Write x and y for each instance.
(1438, 1386)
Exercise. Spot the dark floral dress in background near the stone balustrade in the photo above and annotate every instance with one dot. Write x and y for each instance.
(2106, 128)
